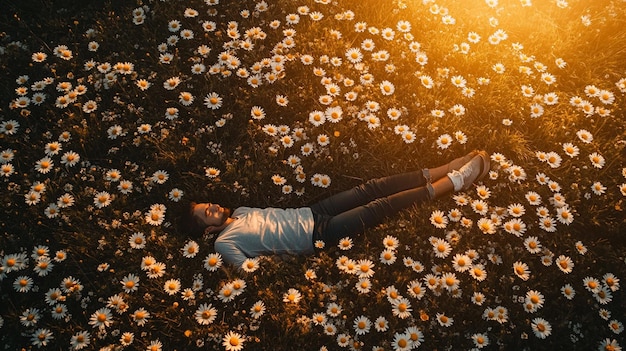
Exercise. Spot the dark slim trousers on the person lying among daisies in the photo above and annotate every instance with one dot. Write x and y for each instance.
(352, 211)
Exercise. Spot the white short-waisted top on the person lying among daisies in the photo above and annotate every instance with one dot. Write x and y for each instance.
(258, 232)
